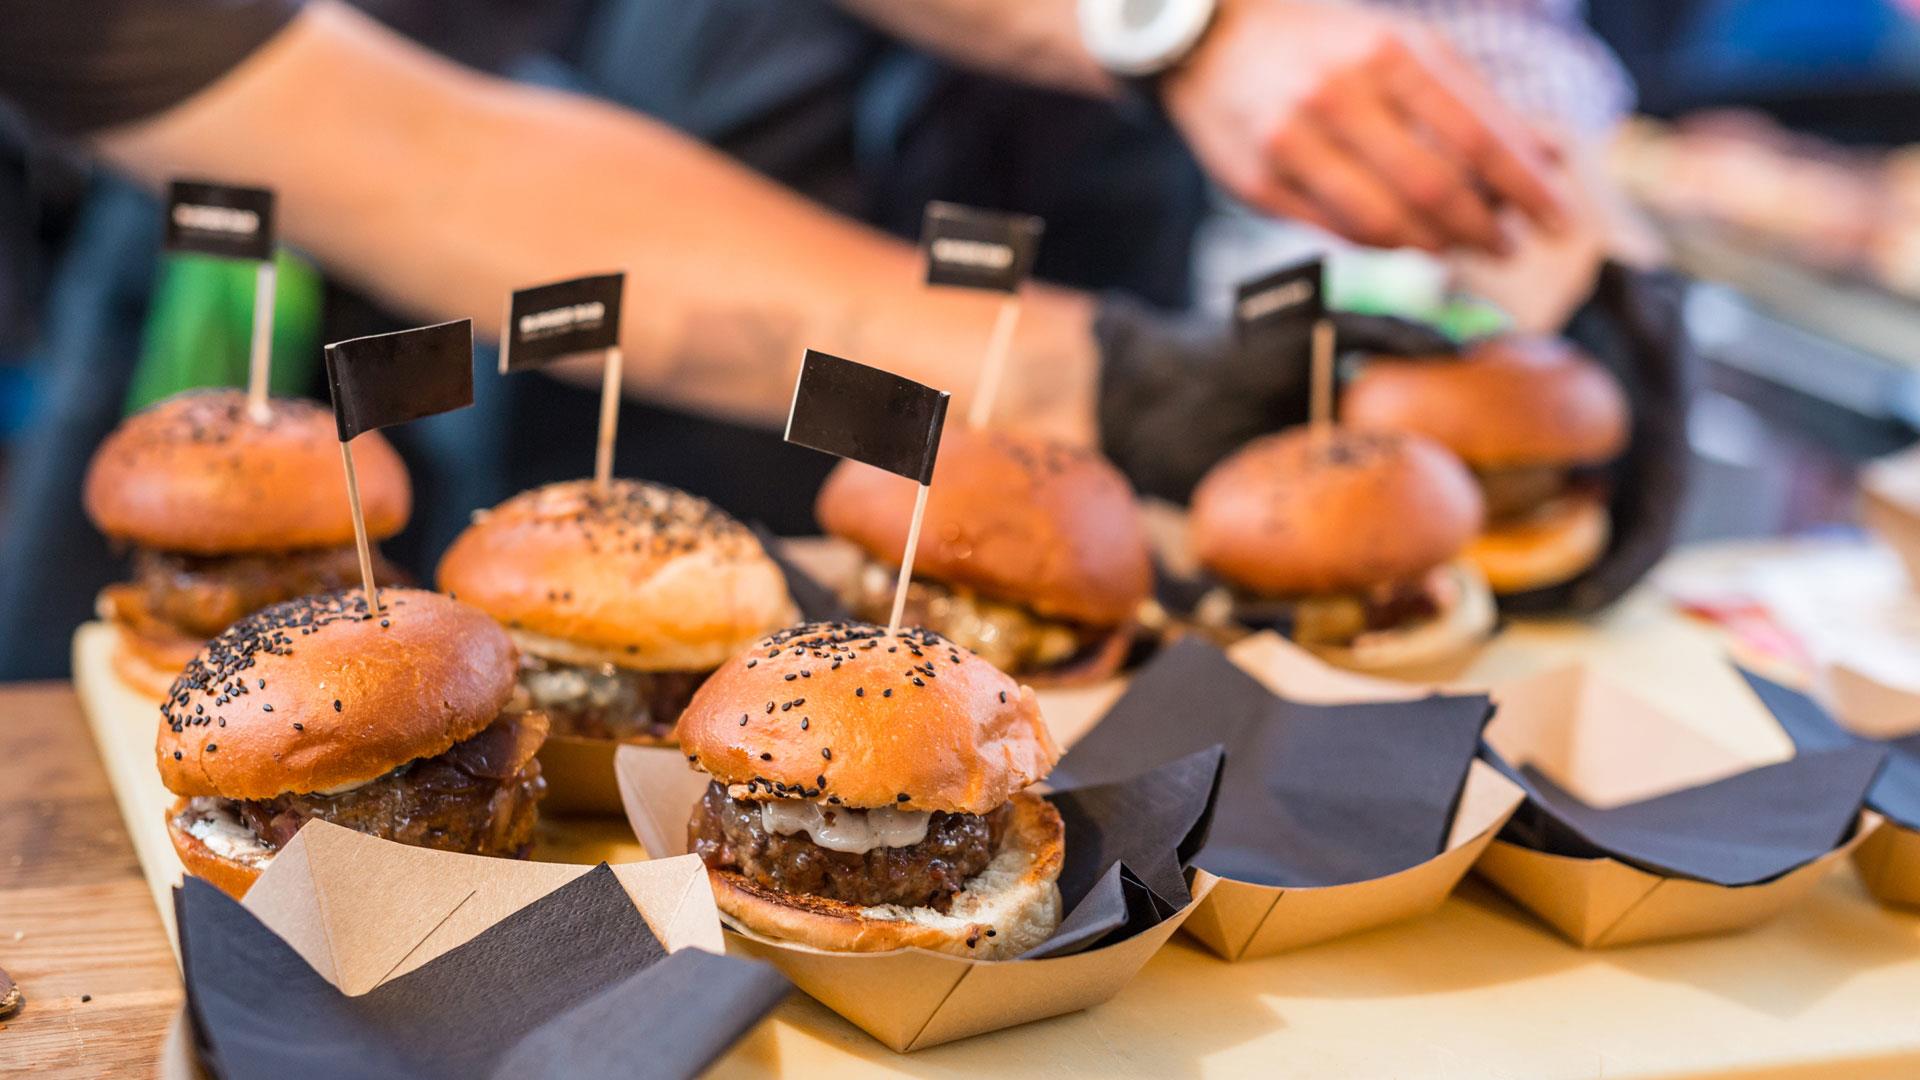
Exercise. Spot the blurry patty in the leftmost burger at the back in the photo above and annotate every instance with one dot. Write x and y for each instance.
(204, 595)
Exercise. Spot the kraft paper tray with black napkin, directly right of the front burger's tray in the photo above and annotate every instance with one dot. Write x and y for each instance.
(1245, 921)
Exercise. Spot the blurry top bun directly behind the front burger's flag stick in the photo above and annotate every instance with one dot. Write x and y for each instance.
(1020, 520)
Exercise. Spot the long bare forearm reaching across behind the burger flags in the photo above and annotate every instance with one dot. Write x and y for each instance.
(439, 191)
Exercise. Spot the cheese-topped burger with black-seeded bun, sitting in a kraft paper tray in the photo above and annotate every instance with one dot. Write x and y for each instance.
(869, 793)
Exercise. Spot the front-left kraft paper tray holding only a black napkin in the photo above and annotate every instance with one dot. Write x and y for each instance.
(366, 912)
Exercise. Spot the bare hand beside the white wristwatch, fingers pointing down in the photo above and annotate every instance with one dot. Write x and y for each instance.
(1360, 124)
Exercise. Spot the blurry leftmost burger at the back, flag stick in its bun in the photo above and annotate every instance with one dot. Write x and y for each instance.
(228, 516)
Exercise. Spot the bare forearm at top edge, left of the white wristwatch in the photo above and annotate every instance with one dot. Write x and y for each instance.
(1034, 41)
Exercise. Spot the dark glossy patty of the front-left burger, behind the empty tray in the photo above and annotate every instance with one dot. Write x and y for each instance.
(477, 798)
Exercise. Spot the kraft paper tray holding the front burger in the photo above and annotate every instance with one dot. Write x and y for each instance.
(907, 998)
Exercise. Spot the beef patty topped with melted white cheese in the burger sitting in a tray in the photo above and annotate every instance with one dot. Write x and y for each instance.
(729, 837)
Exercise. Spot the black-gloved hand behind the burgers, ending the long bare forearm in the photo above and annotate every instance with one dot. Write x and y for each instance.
(1178, 393)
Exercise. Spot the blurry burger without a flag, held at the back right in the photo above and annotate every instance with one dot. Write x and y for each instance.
(1533, 418)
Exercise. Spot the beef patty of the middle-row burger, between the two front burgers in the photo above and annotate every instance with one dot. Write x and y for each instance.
(606, 700)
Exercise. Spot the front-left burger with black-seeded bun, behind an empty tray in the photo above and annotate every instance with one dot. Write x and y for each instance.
(396, 725)
